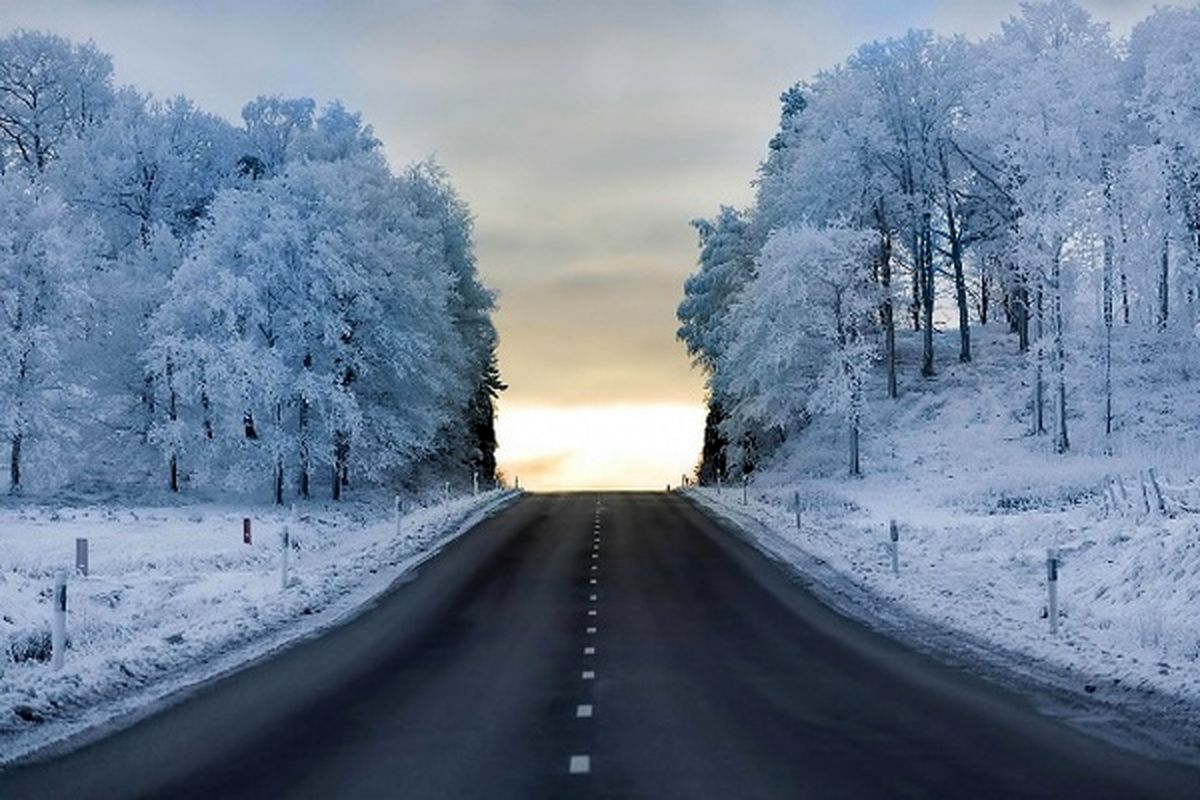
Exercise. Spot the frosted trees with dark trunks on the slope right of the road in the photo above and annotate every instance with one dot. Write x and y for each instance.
(1047, 177)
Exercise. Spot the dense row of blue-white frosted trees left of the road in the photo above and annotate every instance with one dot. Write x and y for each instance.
(263, 308)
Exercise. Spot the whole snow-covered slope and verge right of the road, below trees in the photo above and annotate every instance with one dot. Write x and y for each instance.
(979, 503)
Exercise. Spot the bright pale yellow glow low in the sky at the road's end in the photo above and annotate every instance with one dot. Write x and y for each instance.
(599, 447)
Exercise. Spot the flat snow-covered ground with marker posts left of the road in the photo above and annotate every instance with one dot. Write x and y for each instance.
(175, 598)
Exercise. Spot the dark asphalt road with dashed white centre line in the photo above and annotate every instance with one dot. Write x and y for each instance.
(587, 646)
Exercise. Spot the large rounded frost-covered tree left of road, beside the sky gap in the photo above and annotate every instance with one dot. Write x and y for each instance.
(321, 321)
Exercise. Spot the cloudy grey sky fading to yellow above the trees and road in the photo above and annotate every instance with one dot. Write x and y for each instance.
(585, 136)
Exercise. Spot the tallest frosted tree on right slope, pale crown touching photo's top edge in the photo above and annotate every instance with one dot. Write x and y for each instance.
(1048, 105)
